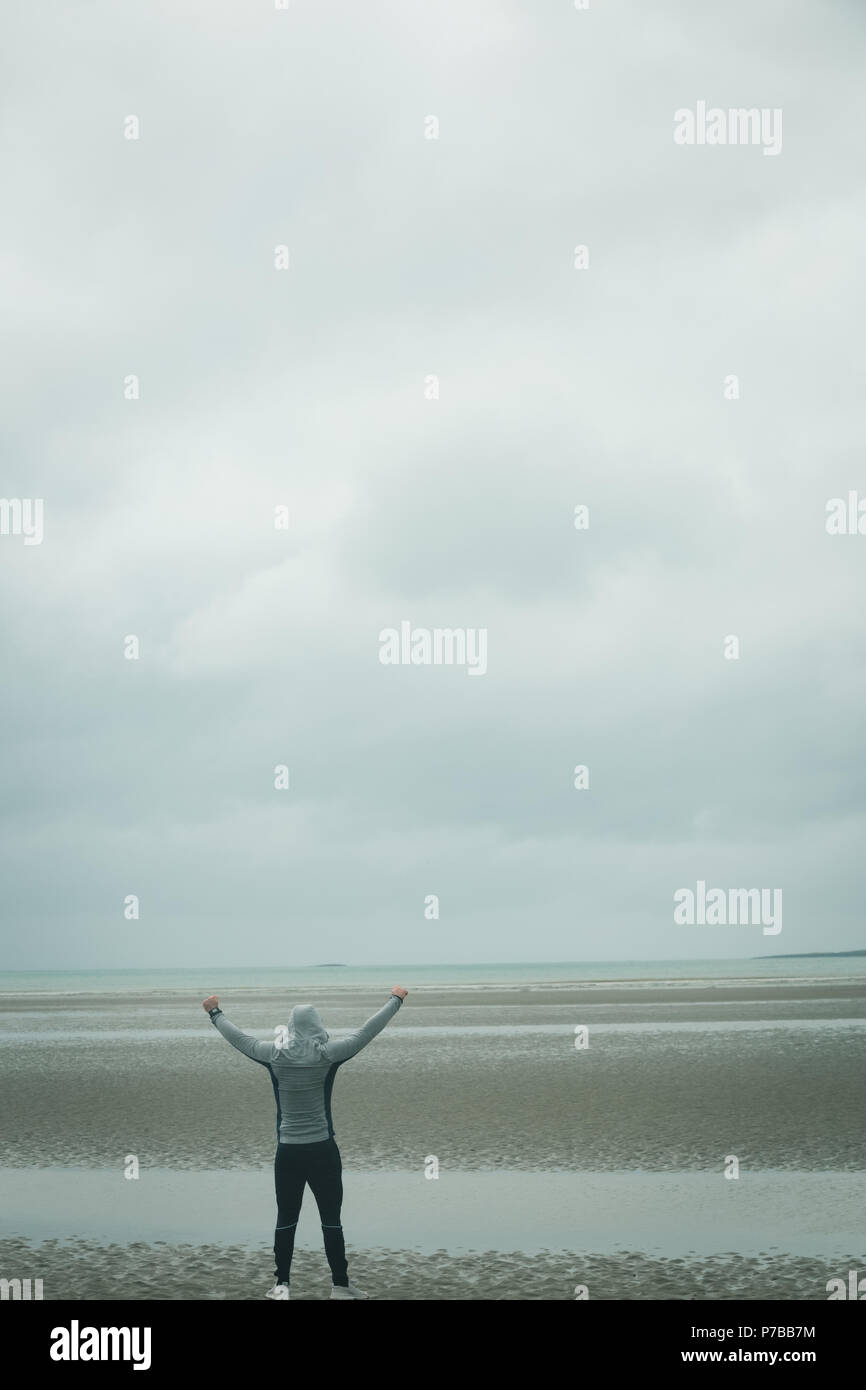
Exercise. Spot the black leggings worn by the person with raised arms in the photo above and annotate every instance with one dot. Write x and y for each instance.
(319, 1166)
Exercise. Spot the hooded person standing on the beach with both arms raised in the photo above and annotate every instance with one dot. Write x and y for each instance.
(302, 1075)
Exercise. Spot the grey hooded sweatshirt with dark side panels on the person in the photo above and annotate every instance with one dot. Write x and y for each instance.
(302, 1072)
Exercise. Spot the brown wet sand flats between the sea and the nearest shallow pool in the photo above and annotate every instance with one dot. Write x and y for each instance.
(664, 1085)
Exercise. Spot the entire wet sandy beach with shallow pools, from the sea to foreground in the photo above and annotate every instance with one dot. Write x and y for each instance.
(628, 1138)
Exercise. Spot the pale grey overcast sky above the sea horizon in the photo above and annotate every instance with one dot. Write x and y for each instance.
(307, 387)
